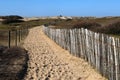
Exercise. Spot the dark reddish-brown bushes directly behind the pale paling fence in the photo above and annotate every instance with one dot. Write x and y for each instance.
(113, 28)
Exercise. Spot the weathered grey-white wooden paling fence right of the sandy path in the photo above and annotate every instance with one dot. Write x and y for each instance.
(101, 51)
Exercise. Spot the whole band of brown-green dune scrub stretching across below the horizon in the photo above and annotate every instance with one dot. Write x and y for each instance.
(107, 25)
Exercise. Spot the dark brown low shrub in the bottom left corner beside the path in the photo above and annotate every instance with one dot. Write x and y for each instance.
(13, 63)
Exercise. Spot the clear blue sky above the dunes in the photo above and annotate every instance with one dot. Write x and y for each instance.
(38, 8)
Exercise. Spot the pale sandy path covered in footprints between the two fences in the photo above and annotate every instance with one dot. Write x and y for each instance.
(48, 61)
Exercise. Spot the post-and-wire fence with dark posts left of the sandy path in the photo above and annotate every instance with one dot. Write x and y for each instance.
(12, 37)
